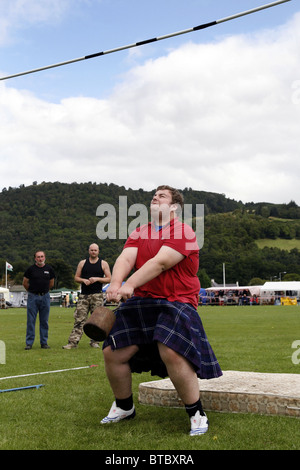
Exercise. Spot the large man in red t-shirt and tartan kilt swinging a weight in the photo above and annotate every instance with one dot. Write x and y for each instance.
(157, 326)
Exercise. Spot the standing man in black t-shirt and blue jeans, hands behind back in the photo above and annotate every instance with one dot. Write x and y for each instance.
(38, 280)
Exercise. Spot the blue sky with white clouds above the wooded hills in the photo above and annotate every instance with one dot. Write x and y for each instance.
(215, 110)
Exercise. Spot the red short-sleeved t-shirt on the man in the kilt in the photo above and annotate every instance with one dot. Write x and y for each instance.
(179, 283)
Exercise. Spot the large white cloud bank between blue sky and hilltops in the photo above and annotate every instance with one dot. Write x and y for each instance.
(220, 117)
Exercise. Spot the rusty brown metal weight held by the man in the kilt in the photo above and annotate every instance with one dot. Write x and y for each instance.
(100, 323)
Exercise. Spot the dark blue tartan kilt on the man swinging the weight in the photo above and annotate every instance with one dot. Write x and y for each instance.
(143, 321)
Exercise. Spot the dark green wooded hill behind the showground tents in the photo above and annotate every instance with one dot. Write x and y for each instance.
(61, 219)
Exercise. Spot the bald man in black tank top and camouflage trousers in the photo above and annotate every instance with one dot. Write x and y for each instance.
(91, 273)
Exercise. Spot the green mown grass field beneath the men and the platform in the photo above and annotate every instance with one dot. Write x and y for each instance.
(65, 413)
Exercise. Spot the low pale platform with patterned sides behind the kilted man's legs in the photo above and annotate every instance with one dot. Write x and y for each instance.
(234, 392)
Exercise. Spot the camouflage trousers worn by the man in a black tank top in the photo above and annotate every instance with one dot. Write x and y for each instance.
(86, 304)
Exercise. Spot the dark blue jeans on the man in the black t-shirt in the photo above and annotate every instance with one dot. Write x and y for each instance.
(37, 304)
